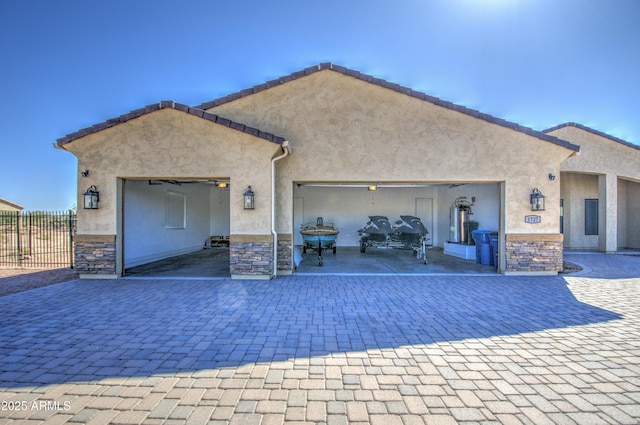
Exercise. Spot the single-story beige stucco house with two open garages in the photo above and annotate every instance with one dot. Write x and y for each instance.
(311, 144)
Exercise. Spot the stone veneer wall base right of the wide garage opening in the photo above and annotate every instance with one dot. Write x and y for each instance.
(533, 253)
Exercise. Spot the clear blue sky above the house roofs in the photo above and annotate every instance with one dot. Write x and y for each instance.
(68, 65)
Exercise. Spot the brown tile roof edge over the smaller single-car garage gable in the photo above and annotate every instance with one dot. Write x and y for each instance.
(169, 104)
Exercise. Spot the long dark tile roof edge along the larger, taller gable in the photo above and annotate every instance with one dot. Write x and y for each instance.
(392, 86)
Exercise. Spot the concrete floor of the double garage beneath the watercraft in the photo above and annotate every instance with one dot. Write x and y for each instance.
(349, 260)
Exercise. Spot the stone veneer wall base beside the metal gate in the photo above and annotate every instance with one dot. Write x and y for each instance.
(95, 255)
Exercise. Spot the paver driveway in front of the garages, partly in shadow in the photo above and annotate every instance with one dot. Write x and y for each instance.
(389, 350)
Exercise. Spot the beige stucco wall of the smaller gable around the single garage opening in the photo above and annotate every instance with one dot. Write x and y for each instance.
(169, 144)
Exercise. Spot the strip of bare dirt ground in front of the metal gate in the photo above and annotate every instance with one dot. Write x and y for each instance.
(14, 280)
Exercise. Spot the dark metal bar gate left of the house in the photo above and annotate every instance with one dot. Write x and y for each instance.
(42, 239)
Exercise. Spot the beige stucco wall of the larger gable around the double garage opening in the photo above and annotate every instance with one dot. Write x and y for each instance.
(345, 130)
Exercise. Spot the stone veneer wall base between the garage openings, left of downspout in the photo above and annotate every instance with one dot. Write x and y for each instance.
(251, 256)
